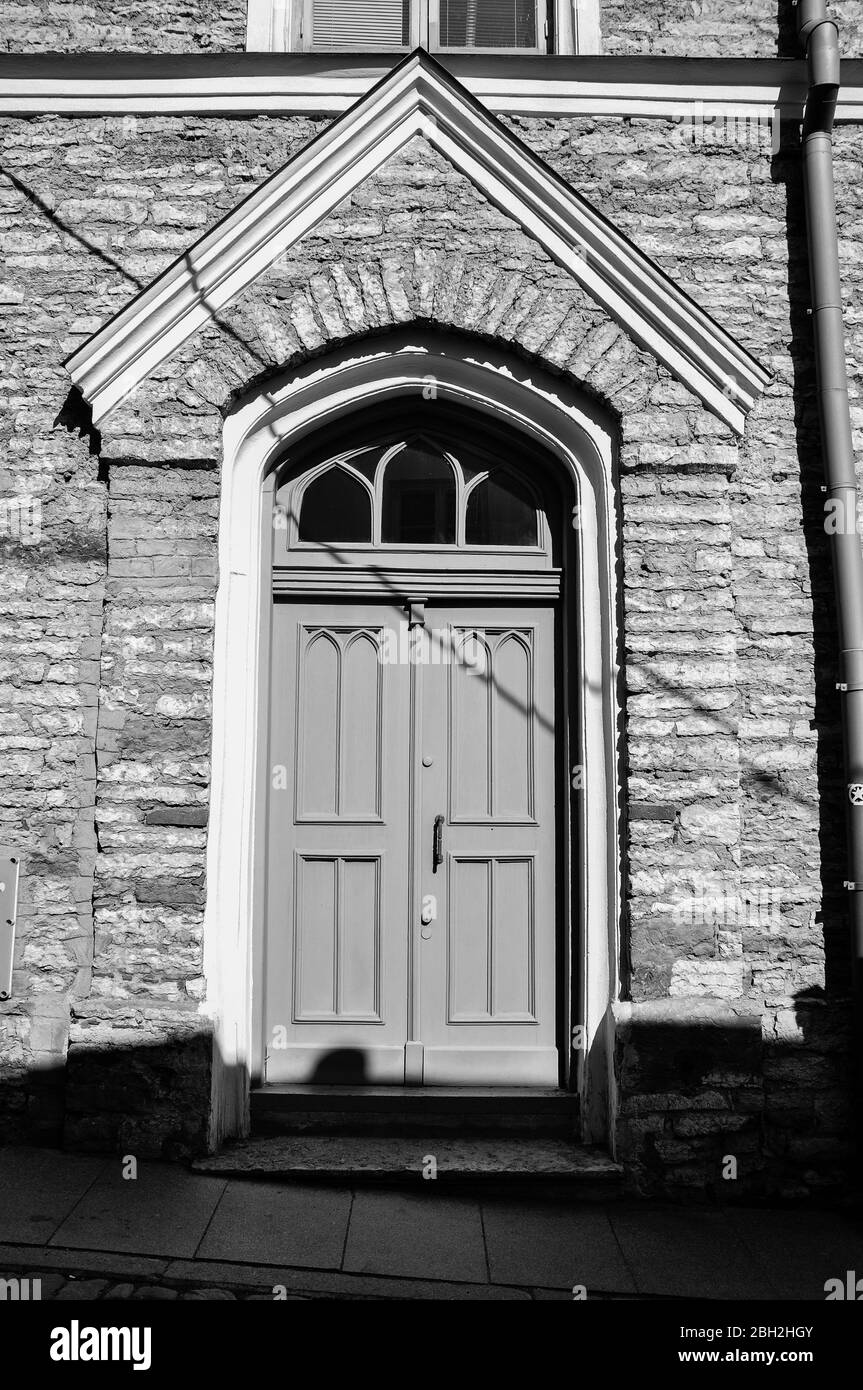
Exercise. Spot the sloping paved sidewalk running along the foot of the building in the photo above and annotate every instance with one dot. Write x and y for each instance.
(90, 1234)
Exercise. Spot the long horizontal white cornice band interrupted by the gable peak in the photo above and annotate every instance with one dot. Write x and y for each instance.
(294, 84)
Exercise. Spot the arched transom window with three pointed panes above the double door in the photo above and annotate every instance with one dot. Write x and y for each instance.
(413, 493)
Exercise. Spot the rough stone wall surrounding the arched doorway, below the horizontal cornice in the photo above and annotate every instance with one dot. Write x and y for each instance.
(733, 1042)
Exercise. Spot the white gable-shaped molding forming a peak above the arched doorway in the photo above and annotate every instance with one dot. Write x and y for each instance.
(419, 98)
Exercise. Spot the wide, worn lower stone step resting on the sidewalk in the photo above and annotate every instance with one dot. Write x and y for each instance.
(550, 1163)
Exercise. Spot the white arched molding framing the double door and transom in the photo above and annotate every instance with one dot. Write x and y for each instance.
(576, 432)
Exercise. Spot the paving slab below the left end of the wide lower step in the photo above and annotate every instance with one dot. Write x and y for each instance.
(268, 1224)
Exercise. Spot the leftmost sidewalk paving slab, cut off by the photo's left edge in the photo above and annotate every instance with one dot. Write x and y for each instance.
(38, 1191)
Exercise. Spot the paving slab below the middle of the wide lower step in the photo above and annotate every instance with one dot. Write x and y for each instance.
(419, 1236)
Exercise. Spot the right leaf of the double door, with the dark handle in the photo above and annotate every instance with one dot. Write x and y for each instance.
(487, 963)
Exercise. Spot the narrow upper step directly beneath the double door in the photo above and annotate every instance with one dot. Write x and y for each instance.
(411, 1110)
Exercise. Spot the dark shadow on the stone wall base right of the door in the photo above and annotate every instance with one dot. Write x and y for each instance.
(712, 1109)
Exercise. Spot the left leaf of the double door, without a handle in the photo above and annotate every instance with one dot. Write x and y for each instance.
(337, 946)
